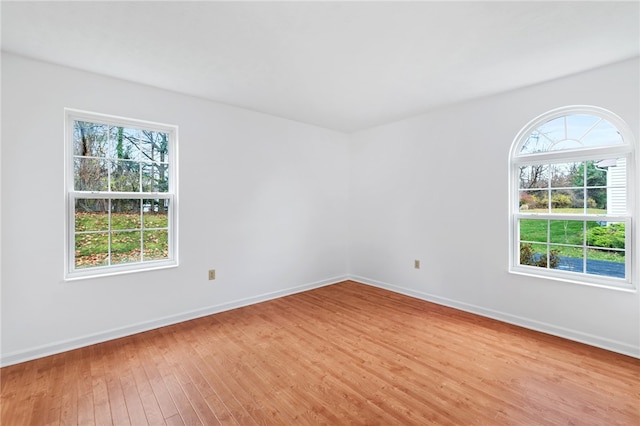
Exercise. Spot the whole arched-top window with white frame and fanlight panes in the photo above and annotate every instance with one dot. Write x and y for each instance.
(571, 189)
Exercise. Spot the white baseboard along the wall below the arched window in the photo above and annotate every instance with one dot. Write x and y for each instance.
(578, 336)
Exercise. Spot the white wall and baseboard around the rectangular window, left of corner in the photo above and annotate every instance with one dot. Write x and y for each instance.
(262, 200)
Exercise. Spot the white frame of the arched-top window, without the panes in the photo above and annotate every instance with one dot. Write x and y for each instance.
(626, 150)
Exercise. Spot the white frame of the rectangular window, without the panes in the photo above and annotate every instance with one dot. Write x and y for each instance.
(71, 195)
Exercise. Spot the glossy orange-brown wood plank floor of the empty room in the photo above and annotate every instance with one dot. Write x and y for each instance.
(342, 354)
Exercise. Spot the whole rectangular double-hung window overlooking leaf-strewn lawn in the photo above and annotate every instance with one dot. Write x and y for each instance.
(121, 195)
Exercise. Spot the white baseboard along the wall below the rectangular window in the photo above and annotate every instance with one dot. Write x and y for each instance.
(79, 342)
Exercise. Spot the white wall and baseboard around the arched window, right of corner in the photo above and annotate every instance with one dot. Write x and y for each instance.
(434, 188)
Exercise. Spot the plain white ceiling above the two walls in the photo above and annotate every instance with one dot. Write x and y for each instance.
(341, 65)
